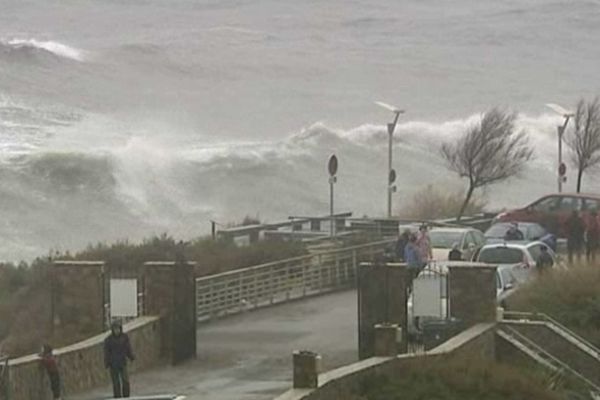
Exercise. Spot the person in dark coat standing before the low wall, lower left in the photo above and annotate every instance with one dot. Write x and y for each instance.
(117, 350)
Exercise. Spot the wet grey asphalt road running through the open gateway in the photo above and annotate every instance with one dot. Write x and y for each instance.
(249, 356)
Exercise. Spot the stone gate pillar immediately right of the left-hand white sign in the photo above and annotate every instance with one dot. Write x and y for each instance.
(170, 293)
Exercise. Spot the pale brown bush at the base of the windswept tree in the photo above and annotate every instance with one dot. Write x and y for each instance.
(434, 203)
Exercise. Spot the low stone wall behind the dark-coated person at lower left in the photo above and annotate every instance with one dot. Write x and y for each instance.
(82, 365)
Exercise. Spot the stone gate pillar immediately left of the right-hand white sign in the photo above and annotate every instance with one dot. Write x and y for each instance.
(382, 298)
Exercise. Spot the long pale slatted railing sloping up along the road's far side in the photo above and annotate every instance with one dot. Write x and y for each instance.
(280, 281)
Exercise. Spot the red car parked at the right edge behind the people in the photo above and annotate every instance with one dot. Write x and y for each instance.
(552, 211)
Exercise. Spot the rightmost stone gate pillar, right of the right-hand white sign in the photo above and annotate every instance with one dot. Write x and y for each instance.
(472, 293)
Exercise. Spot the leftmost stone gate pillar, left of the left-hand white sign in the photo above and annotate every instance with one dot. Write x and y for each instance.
(78, 295)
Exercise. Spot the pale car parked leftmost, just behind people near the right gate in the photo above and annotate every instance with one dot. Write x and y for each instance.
(442, 239)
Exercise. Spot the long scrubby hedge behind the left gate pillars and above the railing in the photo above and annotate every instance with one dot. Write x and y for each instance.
(24, 289)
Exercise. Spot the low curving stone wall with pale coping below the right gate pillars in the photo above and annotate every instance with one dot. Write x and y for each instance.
(345, 382)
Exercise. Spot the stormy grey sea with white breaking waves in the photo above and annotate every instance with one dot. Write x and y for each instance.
(123, 119)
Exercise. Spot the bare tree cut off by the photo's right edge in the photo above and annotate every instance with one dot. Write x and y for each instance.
(584, 138)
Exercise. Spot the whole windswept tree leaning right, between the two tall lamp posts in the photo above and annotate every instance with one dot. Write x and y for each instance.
(489, 152)
